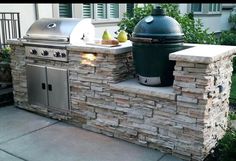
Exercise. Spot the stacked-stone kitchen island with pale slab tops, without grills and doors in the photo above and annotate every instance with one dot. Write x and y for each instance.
(185, 119)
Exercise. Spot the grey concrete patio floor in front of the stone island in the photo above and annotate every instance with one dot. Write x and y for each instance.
(26, 136)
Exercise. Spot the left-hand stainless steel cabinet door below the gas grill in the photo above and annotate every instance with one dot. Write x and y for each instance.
(36, 84)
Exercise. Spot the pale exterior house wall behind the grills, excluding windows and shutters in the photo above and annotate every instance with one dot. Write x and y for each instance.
(29, 12)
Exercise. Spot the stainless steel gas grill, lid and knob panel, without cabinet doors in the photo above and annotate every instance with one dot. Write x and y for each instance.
(47, 38)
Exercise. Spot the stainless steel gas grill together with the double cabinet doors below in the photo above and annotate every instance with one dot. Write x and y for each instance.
(47, 39)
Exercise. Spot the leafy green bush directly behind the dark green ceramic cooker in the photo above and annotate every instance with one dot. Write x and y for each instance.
(192, 29)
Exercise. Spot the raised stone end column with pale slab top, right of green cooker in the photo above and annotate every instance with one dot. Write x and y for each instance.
(202, 84)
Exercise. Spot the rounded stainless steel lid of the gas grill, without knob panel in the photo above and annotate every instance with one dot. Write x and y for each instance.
(61, 30)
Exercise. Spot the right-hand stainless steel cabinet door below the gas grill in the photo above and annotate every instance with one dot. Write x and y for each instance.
(58, 88)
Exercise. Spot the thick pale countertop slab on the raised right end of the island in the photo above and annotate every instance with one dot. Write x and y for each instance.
(203, 53)
